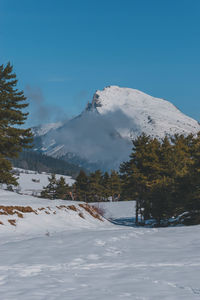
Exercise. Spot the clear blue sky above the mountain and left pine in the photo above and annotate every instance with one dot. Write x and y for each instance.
(64, 50)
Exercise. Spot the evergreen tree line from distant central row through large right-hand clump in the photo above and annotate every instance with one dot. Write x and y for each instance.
(163, 176)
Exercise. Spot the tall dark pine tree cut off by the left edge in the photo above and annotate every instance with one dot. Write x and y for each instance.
(12, 138)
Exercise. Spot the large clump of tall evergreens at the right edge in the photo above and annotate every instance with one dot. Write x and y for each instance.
(163, 176)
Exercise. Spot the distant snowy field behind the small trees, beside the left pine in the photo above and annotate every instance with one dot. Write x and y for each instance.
(32, 183)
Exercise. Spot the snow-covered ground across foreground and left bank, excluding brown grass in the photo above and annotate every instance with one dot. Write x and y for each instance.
(97, 261)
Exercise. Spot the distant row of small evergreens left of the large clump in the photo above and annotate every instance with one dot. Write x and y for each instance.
(95, 187)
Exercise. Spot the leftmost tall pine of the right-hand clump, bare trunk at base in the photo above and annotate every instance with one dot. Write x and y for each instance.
(140, 173)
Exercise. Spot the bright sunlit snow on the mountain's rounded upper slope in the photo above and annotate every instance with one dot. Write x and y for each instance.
(154, 116)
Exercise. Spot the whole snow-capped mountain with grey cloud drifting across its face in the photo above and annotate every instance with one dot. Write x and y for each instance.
(100, 137)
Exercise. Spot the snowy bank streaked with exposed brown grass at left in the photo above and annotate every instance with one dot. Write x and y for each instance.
(23, 214)
